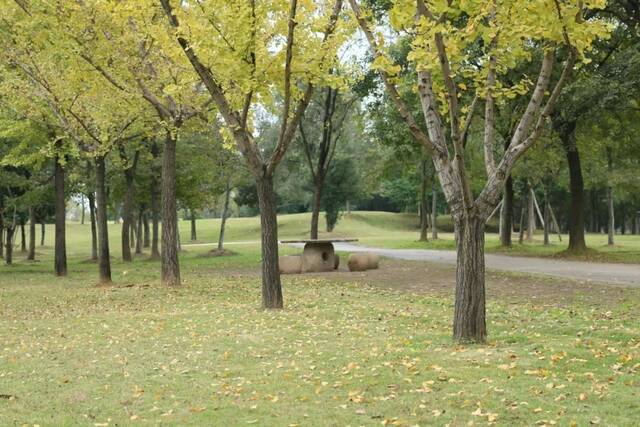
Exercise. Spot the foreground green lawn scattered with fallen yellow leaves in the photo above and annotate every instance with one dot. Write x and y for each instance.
(339, 354)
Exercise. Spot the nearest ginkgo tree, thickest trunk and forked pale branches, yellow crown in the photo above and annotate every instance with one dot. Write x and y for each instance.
(459, 51)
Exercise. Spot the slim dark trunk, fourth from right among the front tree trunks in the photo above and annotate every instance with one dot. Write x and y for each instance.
(104, 256)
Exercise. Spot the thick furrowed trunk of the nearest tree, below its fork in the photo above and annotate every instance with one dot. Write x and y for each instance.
(469, 324)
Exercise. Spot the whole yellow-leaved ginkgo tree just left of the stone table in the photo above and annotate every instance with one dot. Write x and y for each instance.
(261, 55)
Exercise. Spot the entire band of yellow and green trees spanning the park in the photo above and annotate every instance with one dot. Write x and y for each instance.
(461, 91)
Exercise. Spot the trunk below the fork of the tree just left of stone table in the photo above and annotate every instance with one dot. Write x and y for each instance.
(271, 286)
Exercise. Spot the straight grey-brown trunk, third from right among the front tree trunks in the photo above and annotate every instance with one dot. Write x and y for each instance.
(169, 256)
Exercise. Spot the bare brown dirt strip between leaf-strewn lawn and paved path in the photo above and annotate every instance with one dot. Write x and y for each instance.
(429, 278)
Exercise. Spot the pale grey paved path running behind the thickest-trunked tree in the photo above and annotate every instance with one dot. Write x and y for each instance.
(626, 274)
